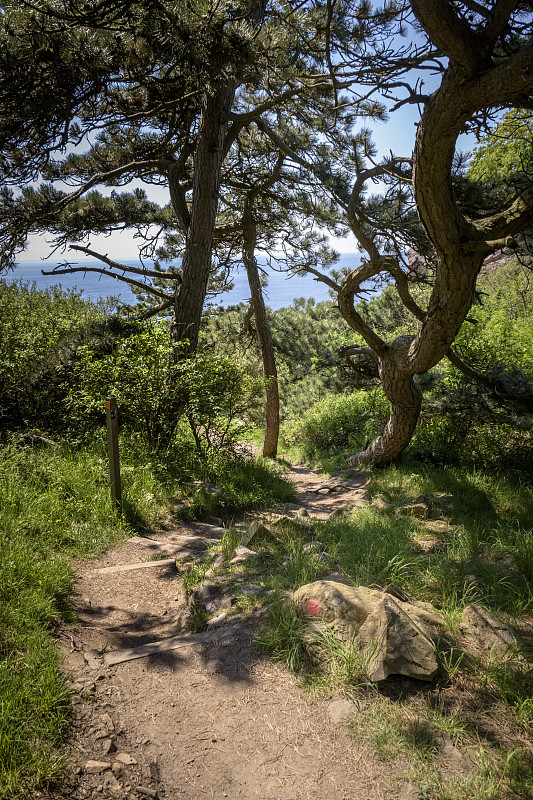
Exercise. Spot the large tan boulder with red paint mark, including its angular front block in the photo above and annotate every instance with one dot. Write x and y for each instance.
(400, 632)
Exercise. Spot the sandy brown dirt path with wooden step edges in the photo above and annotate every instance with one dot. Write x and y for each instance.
(213, 717)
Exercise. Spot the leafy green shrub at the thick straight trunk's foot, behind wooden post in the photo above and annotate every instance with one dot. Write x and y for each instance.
(153, 393)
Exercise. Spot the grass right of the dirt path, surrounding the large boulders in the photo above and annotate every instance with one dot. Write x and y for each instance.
(482, 704)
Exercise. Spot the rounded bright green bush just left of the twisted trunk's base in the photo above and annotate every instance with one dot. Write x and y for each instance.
(339, 421)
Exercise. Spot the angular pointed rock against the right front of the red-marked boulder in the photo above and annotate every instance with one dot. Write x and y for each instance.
(397, 645)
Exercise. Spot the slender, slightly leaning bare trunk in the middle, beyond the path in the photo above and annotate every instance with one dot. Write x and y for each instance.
(270, 442)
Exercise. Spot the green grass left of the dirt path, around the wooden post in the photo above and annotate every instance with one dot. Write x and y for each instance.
(55, 505)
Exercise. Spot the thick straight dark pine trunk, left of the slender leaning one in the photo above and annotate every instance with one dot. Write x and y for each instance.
(196, 266)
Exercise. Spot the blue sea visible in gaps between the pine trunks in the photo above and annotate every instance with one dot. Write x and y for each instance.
(280, 292)
